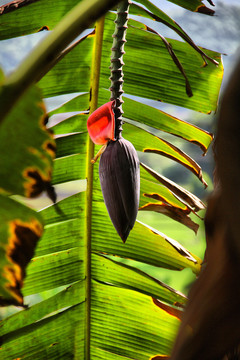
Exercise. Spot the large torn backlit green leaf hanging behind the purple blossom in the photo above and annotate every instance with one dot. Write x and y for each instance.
(106, 309)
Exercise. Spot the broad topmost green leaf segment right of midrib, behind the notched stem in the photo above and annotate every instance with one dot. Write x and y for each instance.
(163, 81)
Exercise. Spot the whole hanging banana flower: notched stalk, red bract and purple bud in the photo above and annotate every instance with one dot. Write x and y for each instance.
(119, 164)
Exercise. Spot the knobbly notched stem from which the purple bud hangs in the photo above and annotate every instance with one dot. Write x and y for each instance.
(119, 39)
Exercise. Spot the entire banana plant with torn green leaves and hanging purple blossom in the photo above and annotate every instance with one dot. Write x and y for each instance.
(95, 306)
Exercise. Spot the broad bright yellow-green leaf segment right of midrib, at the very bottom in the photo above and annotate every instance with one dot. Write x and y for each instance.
(141, 335)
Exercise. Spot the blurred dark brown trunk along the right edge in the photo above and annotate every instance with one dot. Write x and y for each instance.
(210, 328)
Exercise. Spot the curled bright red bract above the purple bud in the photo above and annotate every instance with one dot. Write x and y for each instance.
(101, 124)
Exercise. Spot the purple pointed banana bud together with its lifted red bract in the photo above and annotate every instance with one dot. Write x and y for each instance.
(118, 170)
